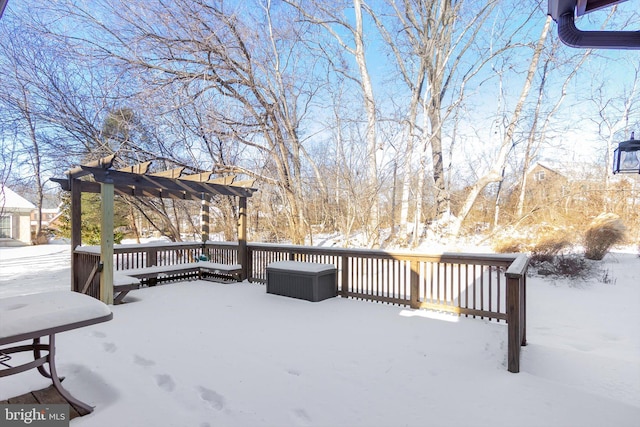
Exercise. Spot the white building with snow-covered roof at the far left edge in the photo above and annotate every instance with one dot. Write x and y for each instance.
(15, 218)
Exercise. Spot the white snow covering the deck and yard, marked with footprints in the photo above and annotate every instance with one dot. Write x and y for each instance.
(206, 354)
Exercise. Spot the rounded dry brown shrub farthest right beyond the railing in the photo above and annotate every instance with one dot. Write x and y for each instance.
(604, 231)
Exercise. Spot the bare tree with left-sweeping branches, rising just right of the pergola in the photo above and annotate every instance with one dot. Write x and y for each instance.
(241, 59)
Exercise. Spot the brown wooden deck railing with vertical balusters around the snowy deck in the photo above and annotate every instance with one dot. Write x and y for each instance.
(488, 286)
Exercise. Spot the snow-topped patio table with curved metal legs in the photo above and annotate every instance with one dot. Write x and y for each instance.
(31, 317)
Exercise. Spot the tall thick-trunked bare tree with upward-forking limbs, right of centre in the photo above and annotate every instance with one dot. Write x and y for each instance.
(428, 41)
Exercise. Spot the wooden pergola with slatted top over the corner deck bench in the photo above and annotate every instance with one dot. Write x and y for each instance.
(135, 181)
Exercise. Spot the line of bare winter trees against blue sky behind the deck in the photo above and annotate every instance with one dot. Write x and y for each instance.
(396, 119)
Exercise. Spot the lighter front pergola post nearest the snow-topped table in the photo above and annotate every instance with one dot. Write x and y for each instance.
(106, 243)
